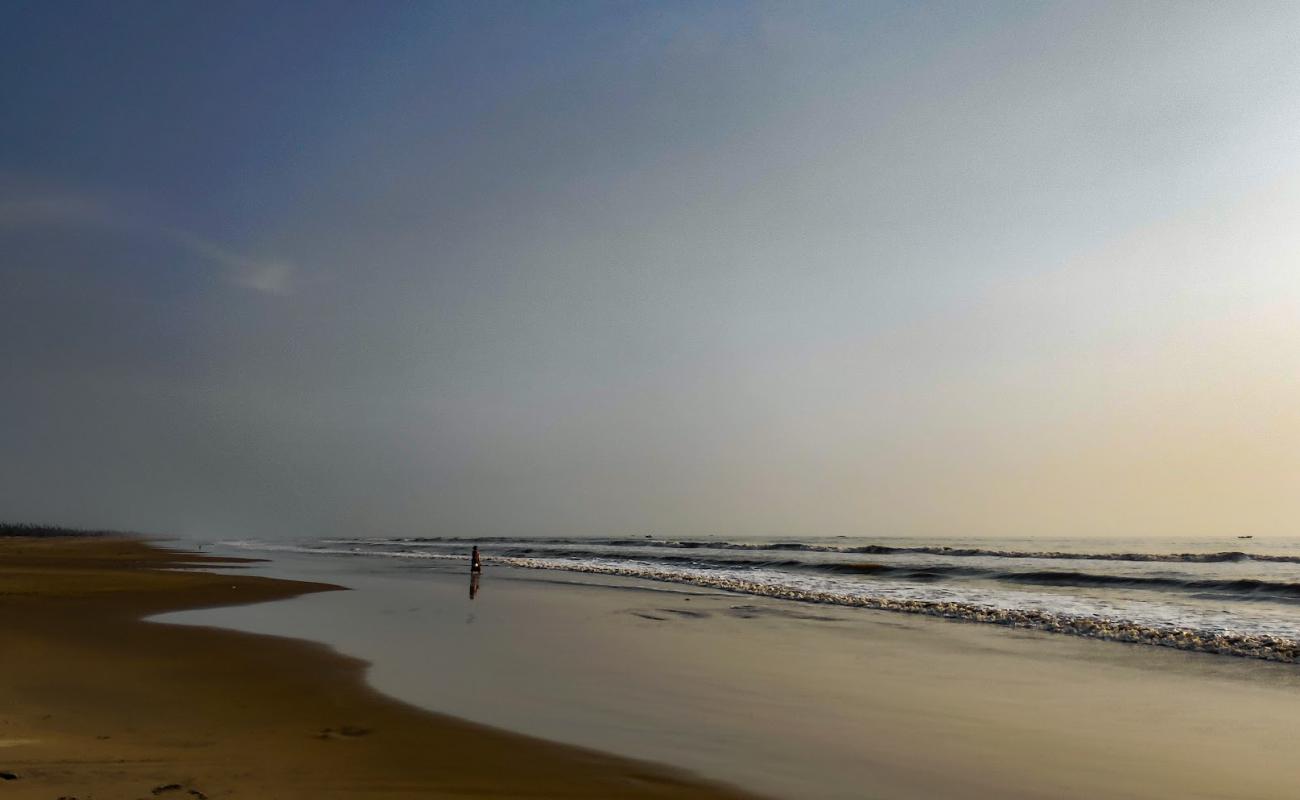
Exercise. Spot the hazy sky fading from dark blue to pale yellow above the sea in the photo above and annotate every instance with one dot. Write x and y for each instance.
(675, 269)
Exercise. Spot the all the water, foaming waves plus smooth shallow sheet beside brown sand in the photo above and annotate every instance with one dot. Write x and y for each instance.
(834, 669)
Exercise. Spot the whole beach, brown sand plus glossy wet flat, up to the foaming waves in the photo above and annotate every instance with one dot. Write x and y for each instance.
(138, 671)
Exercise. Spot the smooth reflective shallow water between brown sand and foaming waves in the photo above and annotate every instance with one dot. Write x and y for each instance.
(795, 699)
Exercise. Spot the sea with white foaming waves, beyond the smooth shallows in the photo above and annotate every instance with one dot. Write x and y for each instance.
(1232, 598)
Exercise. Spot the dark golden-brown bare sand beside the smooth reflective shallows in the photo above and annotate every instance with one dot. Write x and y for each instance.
(97, 703)
